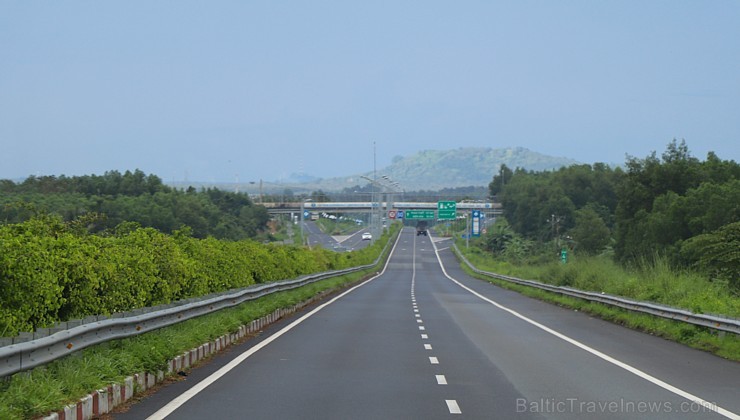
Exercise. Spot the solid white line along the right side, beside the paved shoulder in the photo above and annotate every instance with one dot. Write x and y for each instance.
(691, 397)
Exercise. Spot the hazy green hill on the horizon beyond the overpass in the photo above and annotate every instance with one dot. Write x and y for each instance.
(462, 167)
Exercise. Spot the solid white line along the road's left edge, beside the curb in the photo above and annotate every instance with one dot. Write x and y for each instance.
(176, 403)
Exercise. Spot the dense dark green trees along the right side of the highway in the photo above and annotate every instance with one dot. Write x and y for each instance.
(676, 207)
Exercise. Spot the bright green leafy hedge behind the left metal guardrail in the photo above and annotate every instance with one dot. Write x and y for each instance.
(51, 270)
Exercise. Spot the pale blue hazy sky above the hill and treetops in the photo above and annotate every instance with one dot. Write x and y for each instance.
(215, 90)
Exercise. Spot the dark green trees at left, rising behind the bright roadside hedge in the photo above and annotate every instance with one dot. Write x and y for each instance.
(133, 197)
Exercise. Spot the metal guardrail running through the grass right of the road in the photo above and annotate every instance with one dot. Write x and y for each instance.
(714, 322)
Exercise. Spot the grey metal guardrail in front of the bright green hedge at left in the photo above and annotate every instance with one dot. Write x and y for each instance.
(27, 355)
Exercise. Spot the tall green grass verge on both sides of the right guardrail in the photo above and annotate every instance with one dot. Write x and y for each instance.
(650, 280)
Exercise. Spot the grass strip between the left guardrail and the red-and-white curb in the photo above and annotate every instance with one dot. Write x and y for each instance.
(49, 388)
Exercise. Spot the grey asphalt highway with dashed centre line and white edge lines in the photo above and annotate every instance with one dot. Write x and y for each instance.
(422, 340)
